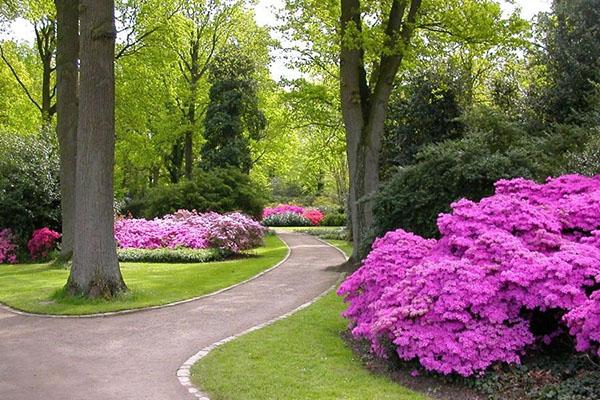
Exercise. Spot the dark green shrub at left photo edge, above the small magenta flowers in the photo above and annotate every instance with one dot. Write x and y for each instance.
(29, 187)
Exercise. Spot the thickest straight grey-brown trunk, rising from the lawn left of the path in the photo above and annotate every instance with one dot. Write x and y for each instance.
(95, 271)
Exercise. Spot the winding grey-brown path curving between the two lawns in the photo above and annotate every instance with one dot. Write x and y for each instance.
(136, 356)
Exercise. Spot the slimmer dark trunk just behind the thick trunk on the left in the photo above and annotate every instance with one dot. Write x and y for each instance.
(67, 13)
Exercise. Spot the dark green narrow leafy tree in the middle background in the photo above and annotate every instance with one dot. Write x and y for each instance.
(233, 118)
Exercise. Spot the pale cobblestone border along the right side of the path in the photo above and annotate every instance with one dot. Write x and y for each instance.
(184, 372)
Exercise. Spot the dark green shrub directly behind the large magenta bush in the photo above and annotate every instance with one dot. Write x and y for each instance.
(493, 148)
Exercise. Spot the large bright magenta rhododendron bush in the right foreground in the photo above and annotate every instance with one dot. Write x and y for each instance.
(467, 301)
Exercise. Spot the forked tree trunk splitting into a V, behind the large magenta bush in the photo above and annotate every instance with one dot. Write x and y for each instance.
(365, 109)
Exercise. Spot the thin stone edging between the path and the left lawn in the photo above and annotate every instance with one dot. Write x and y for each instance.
(157, 307)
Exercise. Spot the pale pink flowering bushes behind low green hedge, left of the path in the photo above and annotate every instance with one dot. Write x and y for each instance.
(233, 232)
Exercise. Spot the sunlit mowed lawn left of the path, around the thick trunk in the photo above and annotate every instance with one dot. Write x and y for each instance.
(38, 288)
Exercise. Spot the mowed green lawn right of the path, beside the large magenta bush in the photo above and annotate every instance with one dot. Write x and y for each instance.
(301, 357)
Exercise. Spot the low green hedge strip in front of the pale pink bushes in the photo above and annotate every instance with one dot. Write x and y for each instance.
(178, 256)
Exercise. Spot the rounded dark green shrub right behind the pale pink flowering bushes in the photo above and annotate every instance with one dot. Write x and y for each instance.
(220, 190)
